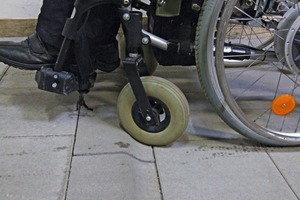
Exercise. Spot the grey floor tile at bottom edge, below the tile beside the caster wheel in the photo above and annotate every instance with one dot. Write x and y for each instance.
(113, 176)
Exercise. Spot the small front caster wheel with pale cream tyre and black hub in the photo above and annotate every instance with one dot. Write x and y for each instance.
(169, 105)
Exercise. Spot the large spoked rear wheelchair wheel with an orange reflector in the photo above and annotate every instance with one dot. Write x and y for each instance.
(259, 101)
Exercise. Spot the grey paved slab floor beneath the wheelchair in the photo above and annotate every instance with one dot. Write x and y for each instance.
(49, 152)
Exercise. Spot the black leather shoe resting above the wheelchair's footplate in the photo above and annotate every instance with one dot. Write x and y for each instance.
(28, 54)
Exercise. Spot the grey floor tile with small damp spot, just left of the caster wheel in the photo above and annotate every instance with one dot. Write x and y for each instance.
(99, 131)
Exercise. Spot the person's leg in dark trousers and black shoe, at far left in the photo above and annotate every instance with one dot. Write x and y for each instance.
(41, 48)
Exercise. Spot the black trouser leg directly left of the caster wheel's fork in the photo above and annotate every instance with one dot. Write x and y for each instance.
(102, 28)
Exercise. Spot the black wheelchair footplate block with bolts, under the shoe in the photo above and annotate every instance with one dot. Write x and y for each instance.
(58, 82)
